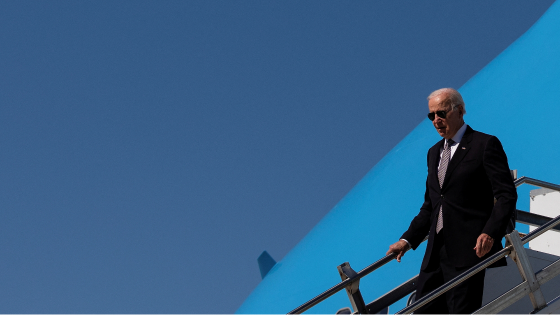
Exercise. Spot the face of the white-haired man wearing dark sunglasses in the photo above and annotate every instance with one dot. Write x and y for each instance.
(446, 127)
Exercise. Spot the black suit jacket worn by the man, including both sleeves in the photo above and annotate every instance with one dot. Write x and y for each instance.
(477, 173)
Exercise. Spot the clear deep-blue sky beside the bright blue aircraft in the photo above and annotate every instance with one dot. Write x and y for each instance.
(151, 150)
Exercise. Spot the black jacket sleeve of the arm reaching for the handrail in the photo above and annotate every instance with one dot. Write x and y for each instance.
(420, 225)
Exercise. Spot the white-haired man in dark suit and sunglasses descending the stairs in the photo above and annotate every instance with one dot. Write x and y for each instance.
(467, 169)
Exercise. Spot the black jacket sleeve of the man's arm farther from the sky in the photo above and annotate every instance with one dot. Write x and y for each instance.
(497, 169)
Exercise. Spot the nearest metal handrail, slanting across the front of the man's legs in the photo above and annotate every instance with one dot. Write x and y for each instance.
(467, 274)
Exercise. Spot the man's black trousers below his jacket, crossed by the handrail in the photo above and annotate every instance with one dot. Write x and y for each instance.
(465, 298)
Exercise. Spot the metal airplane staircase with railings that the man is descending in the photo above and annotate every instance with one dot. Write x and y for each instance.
(532, 283)
